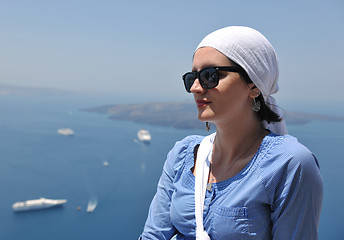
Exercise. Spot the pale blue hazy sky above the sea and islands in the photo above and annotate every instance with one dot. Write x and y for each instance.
(143, 47)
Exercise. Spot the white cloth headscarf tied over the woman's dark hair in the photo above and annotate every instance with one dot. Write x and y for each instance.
(253, 52)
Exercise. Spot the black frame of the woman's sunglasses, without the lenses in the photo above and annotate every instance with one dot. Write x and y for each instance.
(217, 69)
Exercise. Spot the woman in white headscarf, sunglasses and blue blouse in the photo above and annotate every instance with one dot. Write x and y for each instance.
(249, 180)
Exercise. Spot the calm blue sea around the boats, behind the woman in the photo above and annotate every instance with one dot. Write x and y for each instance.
(37, 162)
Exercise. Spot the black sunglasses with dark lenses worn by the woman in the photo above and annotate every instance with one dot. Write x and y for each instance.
(208, 77)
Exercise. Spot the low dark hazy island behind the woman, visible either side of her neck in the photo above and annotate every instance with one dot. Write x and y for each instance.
(182, 115)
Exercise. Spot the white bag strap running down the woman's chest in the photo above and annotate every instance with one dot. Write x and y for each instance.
(204, 154)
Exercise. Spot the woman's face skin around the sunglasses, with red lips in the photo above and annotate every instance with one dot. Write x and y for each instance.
(230, 100)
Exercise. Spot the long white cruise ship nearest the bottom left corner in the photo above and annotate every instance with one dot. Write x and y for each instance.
(37, 204)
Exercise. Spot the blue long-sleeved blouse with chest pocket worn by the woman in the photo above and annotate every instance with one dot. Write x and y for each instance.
(278, 195)
